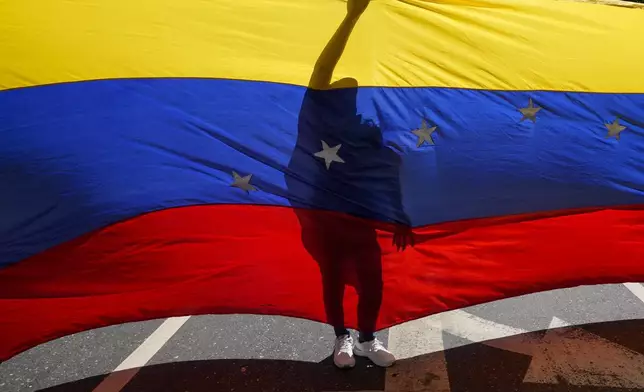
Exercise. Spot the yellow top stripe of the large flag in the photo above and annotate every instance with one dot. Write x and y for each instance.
(479, 44)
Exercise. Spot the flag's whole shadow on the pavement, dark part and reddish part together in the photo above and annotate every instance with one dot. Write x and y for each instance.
(602, 357)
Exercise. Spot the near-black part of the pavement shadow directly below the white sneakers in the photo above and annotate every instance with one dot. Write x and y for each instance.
(243, 375)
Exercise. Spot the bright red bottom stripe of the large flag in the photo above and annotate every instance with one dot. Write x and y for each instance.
(252, 259)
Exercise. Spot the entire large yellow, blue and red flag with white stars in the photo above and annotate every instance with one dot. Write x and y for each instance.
(316, 159)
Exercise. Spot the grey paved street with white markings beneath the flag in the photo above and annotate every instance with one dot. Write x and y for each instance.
(589, 338)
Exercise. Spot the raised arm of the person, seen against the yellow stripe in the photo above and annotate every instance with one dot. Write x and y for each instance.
(328, 60)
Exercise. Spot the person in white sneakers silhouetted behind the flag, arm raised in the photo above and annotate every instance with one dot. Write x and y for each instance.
(357, 183)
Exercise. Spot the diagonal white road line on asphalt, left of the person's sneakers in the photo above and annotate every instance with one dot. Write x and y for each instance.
(140, 357)
